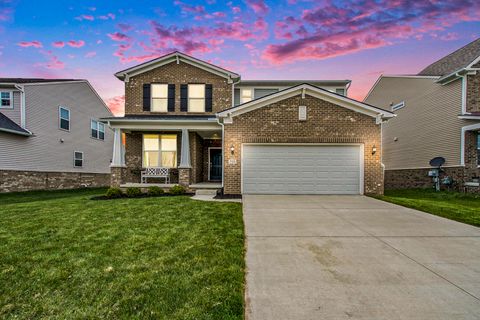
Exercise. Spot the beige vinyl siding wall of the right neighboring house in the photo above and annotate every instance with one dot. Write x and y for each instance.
(428, 125)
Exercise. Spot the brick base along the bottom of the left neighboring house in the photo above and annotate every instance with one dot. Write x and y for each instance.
(13, 181)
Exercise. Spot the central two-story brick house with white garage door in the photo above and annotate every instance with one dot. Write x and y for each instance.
(282, 137)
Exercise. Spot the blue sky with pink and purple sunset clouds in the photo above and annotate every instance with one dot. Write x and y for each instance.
(259, 39)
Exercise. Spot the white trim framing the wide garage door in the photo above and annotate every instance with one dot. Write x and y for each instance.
(361, 152)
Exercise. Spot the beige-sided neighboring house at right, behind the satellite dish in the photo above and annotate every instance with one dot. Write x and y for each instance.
(438, 114)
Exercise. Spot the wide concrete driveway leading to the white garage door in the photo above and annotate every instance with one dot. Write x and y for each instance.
(354, 257)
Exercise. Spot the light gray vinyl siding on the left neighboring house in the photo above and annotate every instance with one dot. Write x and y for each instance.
(43, 151)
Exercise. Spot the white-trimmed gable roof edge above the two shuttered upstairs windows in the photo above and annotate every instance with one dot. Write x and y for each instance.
(175, 57)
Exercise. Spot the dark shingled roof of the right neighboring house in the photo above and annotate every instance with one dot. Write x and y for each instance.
(455, 61)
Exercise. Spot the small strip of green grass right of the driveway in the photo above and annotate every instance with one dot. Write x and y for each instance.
(462, 207)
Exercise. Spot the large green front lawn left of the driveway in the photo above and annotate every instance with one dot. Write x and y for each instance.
(64, 256)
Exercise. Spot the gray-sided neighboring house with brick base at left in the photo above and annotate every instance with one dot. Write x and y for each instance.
(50, 136)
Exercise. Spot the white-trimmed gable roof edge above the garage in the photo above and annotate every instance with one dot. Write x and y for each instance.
(307, 89)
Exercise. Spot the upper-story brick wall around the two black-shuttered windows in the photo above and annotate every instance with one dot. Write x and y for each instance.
(173, 73)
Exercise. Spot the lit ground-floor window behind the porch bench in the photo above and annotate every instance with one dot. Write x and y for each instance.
(160, 150)
